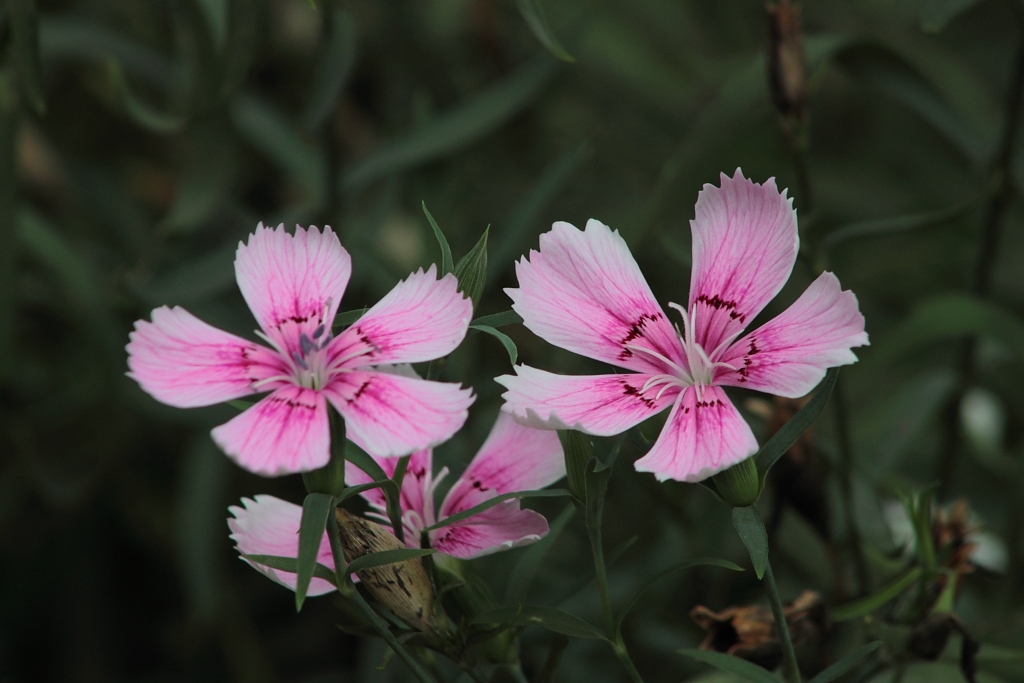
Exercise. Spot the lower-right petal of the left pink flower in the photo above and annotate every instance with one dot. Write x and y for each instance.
(391, 415)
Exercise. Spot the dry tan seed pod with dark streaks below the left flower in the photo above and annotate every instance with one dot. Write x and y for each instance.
(403, 587)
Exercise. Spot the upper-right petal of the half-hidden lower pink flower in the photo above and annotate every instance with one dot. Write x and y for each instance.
(515, 458)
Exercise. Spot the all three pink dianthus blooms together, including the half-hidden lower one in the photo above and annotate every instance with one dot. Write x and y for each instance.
(582, 291)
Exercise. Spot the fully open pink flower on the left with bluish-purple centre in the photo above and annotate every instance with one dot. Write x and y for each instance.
(293, 284)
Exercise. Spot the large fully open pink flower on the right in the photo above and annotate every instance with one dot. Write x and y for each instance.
(584, 292)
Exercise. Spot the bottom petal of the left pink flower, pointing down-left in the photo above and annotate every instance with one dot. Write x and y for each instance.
(285, 433)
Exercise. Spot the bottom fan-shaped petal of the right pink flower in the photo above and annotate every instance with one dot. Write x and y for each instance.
(701, 438)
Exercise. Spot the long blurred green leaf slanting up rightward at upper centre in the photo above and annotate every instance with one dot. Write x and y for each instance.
(456, 130)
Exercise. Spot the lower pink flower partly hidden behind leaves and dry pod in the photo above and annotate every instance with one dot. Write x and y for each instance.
(514, 458)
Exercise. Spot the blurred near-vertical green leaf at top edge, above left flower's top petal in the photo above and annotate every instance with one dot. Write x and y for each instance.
(332, 70)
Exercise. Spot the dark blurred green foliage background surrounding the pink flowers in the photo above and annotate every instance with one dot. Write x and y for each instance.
(150, 138)
